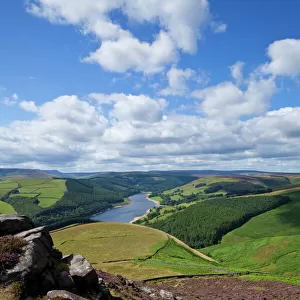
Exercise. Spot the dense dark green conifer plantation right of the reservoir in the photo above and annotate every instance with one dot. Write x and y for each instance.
(205, 223)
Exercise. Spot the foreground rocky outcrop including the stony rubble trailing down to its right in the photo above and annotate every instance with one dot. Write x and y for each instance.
(41, 270)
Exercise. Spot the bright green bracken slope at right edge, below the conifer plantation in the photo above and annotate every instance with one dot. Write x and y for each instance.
(269, 242)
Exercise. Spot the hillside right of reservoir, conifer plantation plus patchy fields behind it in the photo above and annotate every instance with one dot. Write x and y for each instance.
(188, 211)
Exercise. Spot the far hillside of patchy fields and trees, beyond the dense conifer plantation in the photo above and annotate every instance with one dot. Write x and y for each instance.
(209, 187)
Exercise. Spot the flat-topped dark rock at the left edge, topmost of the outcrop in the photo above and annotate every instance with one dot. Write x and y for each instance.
(12, 224)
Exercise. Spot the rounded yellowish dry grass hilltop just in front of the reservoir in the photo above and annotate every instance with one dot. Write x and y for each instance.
(109, 241)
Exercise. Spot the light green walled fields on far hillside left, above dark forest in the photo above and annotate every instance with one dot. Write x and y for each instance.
(48, 191)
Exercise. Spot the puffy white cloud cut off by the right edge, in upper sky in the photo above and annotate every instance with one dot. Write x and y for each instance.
(285, 58)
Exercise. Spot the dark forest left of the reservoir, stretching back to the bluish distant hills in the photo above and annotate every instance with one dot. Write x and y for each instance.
(86, 197)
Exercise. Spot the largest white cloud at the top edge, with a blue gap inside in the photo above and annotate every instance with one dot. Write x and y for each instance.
(181, 24)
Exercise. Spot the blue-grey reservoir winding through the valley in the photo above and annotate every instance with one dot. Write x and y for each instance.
(125, 214)
